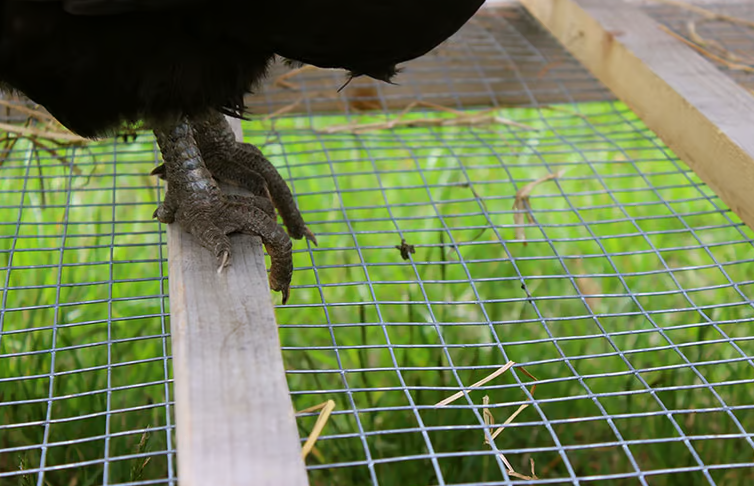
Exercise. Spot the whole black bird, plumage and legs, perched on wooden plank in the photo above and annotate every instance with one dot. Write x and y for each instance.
(179, 65)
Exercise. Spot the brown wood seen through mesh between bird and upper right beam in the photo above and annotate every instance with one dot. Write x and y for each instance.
(502, 57)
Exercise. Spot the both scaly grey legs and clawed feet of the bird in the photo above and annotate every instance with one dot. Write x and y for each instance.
(199, 154)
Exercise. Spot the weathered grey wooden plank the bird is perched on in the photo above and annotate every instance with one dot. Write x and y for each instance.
(234, 418)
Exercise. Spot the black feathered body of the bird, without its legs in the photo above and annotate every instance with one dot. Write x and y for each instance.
(99, 64)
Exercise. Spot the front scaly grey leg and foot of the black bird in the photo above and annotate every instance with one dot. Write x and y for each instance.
(195, 201)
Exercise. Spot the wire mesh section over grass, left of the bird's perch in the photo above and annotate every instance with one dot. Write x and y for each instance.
(85, 355)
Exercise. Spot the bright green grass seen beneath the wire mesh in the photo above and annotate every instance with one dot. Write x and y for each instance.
(371, 296)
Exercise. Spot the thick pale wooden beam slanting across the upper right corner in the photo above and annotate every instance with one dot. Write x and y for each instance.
(699, 112)
